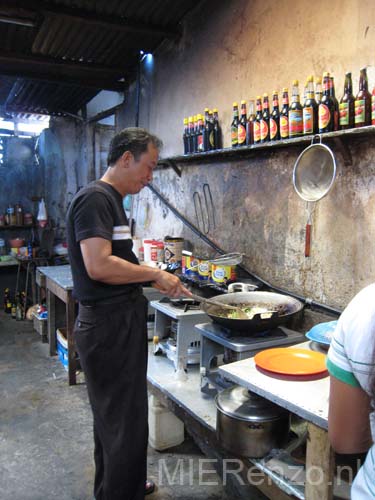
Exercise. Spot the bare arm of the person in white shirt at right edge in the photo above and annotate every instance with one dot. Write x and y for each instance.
(348, 419)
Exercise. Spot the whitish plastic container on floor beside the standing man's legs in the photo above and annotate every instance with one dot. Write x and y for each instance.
(165, 429)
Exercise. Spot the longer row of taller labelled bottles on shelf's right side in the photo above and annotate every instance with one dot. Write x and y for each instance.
(321, 112)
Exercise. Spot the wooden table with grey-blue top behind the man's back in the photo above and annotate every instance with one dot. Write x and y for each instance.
(61, 312)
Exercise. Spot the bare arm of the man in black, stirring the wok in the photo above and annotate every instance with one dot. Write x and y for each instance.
(102, 266)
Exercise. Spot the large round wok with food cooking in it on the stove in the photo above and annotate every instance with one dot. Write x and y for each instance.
(281, 307)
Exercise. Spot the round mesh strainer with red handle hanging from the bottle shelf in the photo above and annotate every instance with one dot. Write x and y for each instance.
(313, 175)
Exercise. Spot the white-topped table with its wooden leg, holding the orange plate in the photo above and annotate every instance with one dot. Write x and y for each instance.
(309, 400)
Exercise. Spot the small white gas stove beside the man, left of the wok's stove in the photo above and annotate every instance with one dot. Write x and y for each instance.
(174, 332)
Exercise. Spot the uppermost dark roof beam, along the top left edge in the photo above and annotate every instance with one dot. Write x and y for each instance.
(17, 7)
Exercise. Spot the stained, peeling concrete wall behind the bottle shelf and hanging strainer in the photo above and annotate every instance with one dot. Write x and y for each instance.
(234, 50)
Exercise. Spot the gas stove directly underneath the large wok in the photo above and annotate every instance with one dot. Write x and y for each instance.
(221, 346)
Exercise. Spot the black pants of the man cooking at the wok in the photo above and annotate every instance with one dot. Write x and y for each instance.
(112, 344)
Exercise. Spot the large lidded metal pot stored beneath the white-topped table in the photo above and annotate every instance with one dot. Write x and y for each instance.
(248, 425)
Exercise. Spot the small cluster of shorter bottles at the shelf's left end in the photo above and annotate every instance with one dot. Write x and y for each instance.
(202, 132)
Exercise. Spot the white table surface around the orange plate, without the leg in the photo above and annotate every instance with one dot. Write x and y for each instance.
(308, 399)
